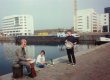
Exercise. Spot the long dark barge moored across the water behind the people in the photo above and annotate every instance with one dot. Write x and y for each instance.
(56, 39)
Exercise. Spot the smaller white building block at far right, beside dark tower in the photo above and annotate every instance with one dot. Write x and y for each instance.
(104, 22)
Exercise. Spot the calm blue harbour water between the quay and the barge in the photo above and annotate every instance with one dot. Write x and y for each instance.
(7, 53)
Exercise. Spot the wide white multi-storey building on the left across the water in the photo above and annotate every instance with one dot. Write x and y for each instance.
(18, 25)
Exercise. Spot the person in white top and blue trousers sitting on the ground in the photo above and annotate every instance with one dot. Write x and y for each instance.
(40, 62)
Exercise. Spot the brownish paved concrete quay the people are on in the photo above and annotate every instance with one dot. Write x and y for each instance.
(92, 64)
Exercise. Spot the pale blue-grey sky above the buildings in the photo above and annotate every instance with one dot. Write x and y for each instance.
(49, 14)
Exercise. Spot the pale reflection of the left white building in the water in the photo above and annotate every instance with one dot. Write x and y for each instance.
(10, 49)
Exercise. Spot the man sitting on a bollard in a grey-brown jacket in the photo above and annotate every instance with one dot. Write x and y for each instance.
(22, 57)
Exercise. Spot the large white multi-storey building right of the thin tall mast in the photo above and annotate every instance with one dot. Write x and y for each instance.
(86, 20)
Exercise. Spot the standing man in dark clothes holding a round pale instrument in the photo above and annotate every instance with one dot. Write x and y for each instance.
(69, 43)
